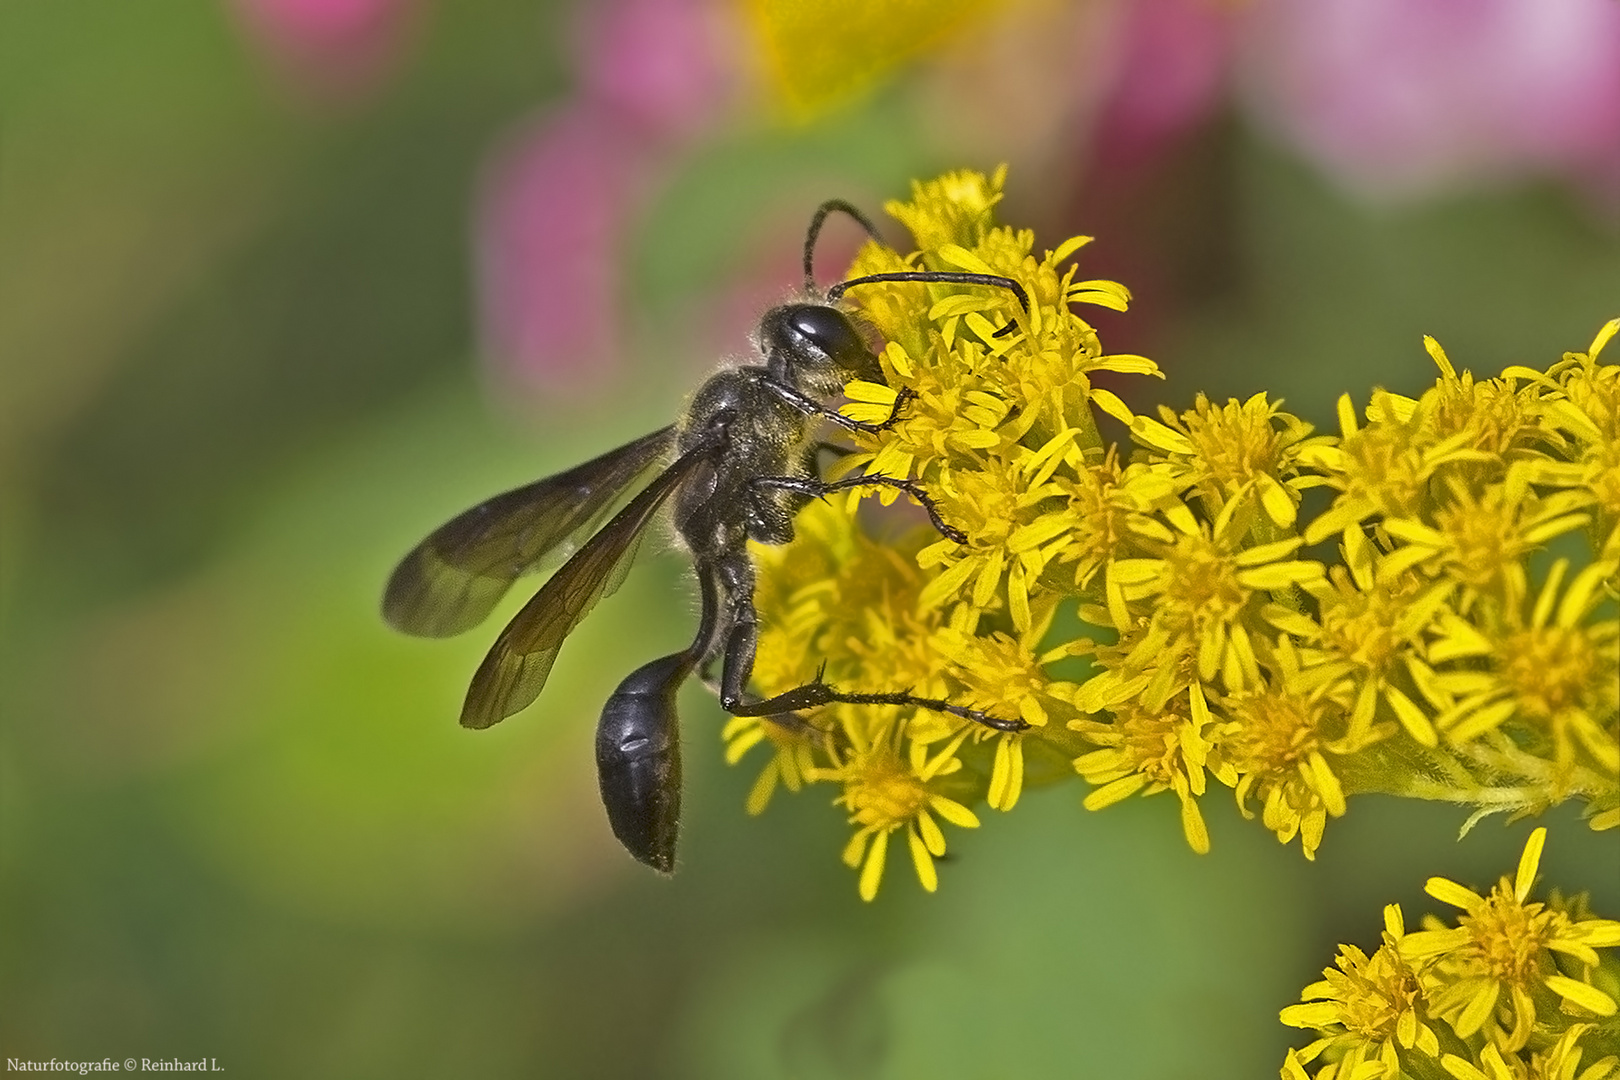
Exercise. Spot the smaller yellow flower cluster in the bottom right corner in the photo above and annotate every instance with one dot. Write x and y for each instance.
(1516, 992)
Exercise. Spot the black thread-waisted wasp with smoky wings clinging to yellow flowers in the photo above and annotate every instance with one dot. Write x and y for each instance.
(740, 466)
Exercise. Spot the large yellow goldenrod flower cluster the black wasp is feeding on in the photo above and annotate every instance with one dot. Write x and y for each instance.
(1443, 626)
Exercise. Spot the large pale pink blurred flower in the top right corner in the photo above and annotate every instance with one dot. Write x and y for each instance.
(1402, 98)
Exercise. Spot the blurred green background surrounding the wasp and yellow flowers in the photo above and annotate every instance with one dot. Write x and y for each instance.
(237, 817)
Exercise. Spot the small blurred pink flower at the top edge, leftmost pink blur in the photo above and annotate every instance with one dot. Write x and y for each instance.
(331, 48)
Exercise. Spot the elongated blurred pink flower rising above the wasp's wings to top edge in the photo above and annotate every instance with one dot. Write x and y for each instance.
(561, 195)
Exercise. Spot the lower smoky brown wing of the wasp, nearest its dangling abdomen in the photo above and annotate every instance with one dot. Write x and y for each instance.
(516, 670)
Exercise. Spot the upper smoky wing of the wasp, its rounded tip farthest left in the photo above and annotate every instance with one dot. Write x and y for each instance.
(454, 579)
